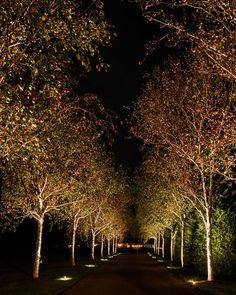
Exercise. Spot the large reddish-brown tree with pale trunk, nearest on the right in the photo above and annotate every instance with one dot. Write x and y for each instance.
(186, 117)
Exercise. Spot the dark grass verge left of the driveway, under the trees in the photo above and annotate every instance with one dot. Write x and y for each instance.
(16, 277)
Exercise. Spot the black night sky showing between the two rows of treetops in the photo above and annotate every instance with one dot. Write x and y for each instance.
(118, 87)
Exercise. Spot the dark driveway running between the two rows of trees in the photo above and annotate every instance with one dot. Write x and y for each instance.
(128, 274)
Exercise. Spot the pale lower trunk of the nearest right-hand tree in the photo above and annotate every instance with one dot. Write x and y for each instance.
(208, 225)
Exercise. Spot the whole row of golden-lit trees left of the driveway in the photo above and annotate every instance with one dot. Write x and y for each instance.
(53, 164)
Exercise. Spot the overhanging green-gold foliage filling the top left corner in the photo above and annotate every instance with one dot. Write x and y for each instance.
(42, 39)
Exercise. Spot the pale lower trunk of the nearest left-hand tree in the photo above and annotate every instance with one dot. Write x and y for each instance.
(38, 246)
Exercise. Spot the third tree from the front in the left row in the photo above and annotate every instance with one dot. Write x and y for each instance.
(110, 201)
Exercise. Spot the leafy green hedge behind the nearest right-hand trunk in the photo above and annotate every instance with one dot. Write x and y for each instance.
(223, 243)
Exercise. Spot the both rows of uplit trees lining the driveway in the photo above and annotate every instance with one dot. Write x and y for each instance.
(51, 156)
